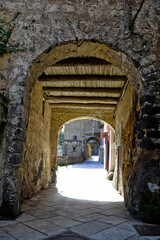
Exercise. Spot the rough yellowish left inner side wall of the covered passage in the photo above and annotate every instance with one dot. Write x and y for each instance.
(35, 171)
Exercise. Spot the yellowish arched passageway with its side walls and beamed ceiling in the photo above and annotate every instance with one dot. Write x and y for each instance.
(72, 81)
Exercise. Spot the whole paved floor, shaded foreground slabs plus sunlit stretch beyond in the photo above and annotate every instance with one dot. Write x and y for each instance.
(82, 202)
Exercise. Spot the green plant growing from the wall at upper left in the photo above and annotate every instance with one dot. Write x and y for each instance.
(6, 29)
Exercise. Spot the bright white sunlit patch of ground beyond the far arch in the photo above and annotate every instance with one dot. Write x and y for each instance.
(86, 181)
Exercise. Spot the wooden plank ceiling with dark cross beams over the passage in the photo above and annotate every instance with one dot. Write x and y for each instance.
(83, 83)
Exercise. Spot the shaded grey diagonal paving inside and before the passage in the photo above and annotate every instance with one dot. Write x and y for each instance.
(52, 214)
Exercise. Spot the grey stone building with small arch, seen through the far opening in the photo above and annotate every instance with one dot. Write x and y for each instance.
(81, 141)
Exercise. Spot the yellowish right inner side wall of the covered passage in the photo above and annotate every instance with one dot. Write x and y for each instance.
(124, 120)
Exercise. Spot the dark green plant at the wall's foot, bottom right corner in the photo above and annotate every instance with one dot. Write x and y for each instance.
(149, 208)
